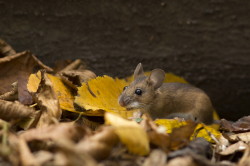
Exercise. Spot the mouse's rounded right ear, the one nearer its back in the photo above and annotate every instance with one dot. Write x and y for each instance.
(156, 78)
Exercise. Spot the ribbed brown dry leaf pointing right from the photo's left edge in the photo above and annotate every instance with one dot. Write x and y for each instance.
(14, 110)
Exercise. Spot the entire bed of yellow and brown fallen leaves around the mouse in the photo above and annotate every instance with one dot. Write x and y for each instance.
(70, 116)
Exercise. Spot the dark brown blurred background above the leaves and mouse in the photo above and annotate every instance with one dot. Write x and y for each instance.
(205, 41)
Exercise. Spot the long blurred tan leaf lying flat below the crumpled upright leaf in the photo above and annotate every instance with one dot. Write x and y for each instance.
(58, 132)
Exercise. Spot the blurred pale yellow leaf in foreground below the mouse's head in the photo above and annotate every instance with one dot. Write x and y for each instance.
(130, 133)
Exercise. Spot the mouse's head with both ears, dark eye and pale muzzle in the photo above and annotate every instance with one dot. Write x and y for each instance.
(141, 92)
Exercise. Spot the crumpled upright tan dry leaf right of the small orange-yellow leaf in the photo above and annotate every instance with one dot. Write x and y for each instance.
(47, 101)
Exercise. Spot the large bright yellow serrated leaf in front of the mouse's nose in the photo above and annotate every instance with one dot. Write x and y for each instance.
(102, 93)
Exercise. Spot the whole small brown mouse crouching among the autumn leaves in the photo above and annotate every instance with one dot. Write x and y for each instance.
(166, 100)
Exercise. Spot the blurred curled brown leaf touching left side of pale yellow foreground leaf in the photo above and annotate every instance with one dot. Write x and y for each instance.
(100, 144)
